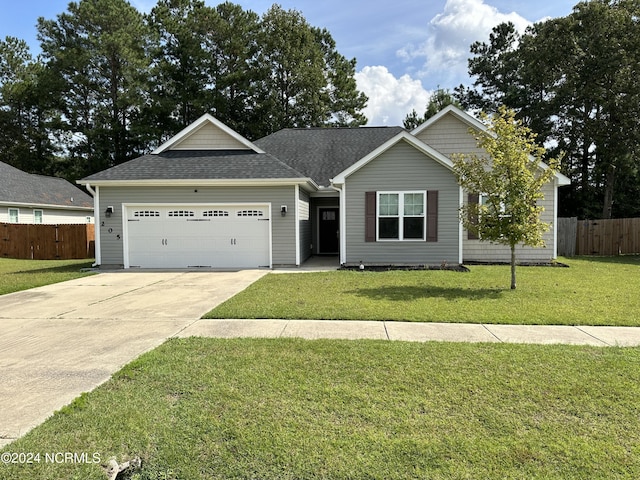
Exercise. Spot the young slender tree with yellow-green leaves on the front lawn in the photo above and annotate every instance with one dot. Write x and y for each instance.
(509, 179)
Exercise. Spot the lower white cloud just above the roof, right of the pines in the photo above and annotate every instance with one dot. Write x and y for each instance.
(390, 98)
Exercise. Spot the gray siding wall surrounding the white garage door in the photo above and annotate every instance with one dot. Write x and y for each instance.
(282, 228)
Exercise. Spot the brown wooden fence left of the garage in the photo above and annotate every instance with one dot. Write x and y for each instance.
(47, 242)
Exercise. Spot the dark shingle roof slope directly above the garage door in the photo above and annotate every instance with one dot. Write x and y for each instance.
(199, 165)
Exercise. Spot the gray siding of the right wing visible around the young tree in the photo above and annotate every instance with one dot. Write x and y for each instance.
(479, 251)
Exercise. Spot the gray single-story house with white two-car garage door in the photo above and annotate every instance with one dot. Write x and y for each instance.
(209, 197)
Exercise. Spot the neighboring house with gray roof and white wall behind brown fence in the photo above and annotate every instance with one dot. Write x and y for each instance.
(30, 198)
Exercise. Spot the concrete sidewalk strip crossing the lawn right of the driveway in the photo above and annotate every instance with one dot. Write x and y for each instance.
(414, 331)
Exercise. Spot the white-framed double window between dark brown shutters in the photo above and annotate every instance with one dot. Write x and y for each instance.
(401, 215)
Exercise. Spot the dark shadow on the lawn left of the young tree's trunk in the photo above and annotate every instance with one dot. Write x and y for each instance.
(402, 294)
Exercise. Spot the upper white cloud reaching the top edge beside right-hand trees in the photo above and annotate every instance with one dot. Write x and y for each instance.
(449, 36)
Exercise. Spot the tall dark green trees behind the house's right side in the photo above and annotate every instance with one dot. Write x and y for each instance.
(573, 80)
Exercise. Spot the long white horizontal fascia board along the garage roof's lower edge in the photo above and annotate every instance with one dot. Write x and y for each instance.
(241, 182)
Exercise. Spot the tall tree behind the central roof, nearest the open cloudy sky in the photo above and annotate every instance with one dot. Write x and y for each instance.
(306, 82)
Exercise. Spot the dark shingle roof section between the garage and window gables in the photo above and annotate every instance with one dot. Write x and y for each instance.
(323, 153)
